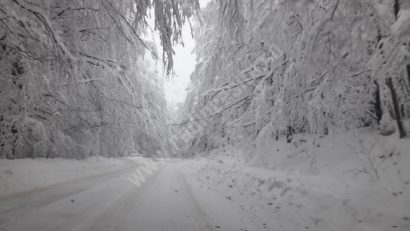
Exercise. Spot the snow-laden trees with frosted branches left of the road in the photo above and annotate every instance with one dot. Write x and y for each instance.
(73, 82)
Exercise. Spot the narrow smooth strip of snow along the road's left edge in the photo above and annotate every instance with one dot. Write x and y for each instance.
(28, 174)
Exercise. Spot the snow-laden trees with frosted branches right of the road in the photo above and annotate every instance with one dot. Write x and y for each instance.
(299, 67)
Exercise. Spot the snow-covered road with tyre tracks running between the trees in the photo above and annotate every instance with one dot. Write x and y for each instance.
(112, 202)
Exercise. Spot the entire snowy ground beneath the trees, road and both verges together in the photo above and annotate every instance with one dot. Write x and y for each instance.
(355, 180)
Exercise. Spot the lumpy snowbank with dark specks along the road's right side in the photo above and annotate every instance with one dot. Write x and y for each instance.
(351, 181)
